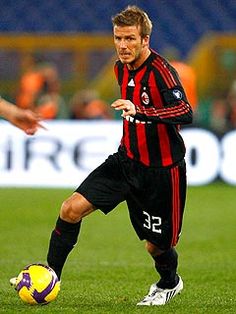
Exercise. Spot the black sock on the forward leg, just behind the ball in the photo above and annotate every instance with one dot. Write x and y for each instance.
(62, 241)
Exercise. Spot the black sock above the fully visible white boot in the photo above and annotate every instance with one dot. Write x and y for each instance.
(166, 265)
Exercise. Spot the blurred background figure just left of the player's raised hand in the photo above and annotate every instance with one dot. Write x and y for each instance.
(86, 104)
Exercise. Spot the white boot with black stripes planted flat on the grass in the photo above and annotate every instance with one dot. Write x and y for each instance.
(158, 296)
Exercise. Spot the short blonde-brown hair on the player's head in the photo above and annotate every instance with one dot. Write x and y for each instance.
(133, 15)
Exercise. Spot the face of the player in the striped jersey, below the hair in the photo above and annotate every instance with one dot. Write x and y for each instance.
(131, 48)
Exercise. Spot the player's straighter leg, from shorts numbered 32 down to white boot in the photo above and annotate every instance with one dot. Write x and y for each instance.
(158, 219)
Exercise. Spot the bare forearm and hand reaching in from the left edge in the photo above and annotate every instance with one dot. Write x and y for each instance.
(25, 120)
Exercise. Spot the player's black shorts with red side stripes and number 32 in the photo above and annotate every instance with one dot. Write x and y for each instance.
(155, 197)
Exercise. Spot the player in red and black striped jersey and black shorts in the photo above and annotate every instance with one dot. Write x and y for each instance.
(148, 170)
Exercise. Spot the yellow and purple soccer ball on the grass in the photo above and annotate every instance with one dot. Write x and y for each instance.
(37, 284)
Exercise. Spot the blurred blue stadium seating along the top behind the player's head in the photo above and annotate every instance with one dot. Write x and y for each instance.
(177, 23)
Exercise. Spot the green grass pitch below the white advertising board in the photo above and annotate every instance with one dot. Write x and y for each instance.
(109, 271)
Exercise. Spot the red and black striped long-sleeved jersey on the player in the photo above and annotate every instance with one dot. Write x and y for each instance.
(152, 136)
